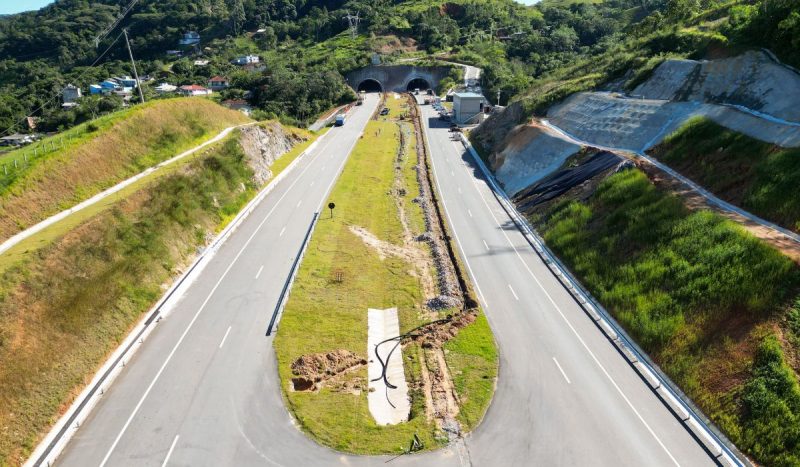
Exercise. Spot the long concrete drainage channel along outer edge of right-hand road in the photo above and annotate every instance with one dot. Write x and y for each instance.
(714, 442)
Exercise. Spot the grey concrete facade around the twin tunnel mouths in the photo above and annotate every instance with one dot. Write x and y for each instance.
(397, 78)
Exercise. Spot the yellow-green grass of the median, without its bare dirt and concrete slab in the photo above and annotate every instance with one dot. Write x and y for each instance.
(337, 312)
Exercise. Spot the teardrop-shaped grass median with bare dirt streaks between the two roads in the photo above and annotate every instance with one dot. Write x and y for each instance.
(367, 256)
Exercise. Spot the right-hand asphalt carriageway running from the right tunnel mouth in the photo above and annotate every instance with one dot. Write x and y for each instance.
(565, 396)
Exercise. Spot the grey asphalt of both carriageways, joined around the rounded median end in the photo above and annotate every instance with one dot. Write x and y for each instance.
(204, 390)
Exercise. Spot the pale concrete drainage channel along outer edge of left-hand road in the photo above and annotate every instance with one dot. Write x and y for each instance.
(57, 438)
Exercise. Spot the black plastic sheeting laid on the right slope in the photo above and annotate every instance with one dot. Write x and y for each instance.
(560, 182)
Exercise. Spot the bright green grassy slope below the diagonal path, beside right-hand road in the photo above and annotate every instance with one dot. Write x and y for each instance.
(696, 292)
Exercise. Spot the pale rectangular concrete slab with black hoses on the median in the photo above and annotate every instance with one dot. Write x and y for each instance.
(388, 406)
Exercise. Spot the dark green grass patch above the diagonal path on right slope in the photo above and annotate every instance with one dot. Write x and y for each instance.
(757, 176)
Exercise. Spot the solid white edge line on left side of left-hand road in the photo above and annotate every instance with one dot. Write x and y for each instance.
(202, 307)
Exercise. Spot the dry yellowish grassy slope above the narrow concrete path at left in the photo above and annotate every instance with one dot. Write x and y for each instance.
(98, 155)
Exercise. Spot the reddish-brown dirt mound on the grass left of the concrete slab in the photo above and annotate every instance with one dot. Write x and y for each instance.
(310, 372)
